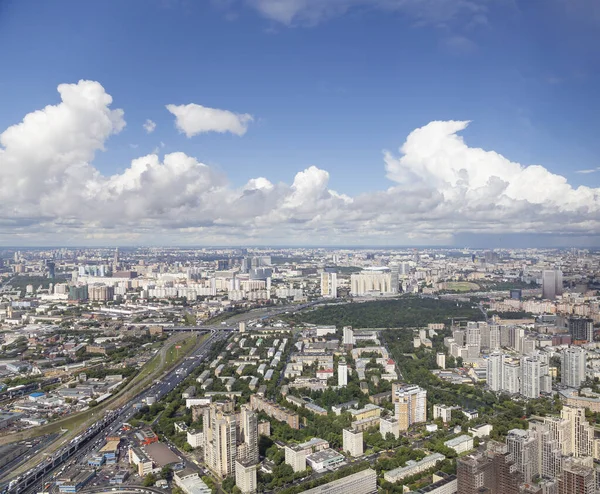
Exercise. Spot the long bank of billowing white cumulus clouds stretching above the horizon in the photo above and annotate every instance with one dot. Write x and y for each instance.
(441, 187)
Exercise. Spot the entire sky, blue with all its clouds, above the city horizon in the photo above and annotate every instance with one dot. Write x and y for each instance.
(397, 122)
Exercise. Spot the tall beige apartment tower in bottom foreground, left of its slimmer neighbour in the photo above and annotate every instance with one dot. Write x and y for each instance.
(220, 438)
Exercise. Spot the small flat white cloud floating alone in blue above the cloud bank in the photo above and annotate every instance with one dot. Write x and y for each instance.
(195, 119)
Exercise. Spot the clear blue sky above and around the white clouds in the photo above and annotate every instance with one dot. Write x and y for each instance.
(327, 87)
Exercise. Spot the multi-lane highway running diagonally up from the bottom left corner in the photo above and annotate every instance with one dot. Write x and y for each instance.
(92, 439)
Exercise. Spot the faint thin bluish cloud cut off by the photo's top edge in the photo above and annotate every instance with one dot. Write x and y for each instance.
(435, 12)
